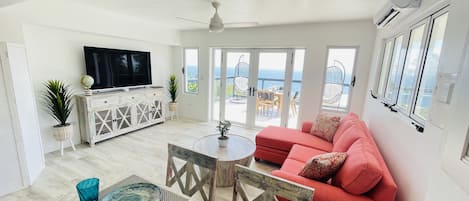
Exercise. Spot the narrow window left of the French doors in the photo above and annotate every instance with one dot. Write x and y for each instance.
(191, 70)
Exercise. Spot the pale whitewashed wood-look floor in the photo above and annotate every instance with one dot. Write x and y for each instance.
(143, 153)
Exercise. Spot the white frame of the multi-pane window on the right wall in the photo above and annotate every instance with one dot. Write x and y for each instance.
(428, 21)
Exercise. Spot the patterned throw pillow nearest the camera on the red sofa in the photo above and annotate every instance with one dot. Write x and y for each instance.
(323, 167)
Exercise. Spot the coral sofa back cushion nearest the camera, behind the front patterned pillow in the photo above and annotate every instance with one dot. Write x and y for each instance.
(361, 170)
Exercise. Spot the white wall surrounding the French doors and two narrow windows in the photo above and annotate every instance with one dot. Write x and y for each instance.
(314, 37)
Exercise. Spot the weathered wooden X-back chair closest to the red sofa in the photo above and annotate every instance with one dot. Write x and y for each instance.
(271, 185)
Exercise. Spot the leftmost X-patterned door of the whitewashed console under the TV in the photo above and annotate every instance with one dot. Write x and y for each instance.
(103, 122)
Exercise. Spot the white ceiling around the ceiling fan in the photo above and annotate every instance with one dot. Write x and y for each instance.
(264, 12)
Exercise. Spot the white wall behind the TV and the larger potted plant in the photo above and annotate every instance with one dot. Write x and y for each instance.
(58, 54)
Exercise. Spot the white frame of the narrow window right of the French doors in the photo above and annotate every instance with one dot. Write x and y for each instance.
(349, 101)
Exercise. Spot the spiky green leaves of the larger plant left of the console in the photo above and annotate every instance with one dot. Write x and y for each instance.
(58, 99)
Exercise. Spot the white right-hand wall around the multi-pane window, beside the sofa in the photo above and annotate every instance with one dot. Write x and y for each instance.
(415, 158)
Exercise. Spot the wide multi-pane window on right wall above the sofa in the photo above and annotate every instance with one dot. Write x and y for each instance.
(409, 81)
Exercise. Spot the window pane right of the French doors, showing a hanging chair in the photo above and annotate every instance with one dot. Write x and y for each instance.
(338, 79)
